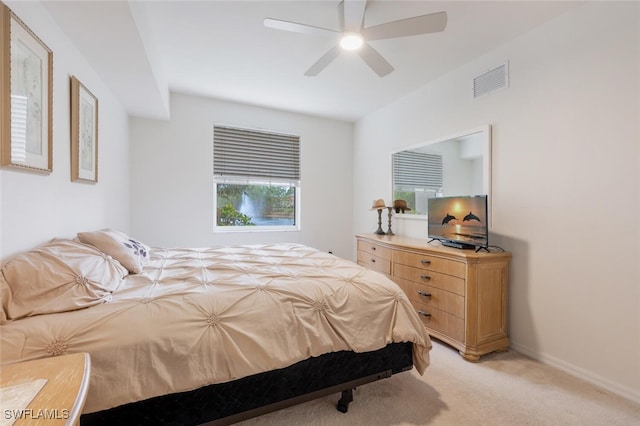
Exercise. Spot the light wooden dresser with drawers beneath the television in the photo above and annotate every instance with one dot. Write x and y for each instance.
(460, 295)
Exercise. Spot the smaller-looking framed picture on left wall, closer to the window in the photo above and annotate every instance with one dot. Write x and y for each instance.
(84, 133)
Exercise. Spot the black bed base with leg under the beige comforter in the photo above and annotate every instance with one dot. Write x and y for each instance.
(231, 402)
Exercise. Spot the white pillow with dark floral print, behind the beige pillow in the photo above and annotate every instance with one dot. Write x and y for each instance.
(132, 254)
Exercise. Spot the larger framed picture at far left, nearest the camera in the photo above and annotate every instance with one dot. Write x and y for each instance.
(26, 97)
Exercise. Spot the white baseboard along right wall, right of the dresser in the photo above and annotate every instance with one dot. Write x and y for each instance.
(588, 376)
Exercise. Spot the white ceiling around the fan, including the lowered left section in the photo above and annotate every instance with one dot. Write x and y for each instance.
(221, 49)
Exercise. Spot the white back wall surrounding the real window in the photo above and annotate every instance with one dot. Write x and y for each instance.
(172, 176)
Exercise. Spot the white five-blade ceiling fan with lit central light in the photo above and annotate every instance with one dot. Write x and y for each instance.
(354, 36)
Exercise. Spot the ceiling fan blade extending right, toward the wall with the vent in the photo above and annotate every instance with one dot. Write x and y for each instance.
(431, 23)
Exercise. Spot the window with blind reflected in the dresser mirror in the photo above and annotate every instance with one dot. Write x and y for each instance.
(417, 176)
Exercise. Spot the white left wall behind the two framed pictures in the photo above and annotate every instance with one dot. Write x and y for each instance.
(35, 208)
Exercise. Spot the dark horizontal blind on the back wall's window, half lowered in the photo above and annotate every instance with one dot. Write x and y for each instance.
(244, 153)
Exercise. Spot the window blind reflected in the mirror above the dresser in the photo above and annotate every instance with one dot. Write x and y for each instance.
(417, 170)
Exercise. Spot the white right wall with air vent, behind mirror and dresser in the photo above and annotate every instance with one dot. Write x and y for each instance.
(565, 182)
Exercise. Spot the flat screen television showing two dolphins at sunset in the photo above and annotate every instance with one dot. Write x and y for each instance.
(460, 222)
